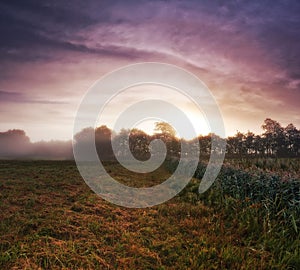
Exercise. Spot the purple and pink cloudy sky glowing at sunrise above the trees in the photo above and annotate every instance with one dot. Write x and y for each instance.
(246, 52)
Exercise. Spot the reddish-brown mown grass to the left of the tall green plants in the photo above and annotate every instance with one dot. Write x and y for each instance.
(50, 219)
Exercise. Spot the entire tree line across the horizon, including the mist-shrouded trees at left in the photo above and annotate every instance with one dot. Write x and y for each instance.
(275, 141)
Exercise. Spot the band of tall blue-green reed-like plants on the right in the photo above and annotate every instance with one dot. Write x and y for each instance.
(278, 198)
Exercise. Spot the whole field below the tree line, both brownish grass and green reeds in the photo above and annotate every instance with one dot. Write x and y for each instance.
(50, 219)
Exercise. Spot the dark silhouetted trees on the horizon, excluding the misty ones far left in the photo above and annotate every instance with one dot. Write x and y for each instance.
(275, 141)
